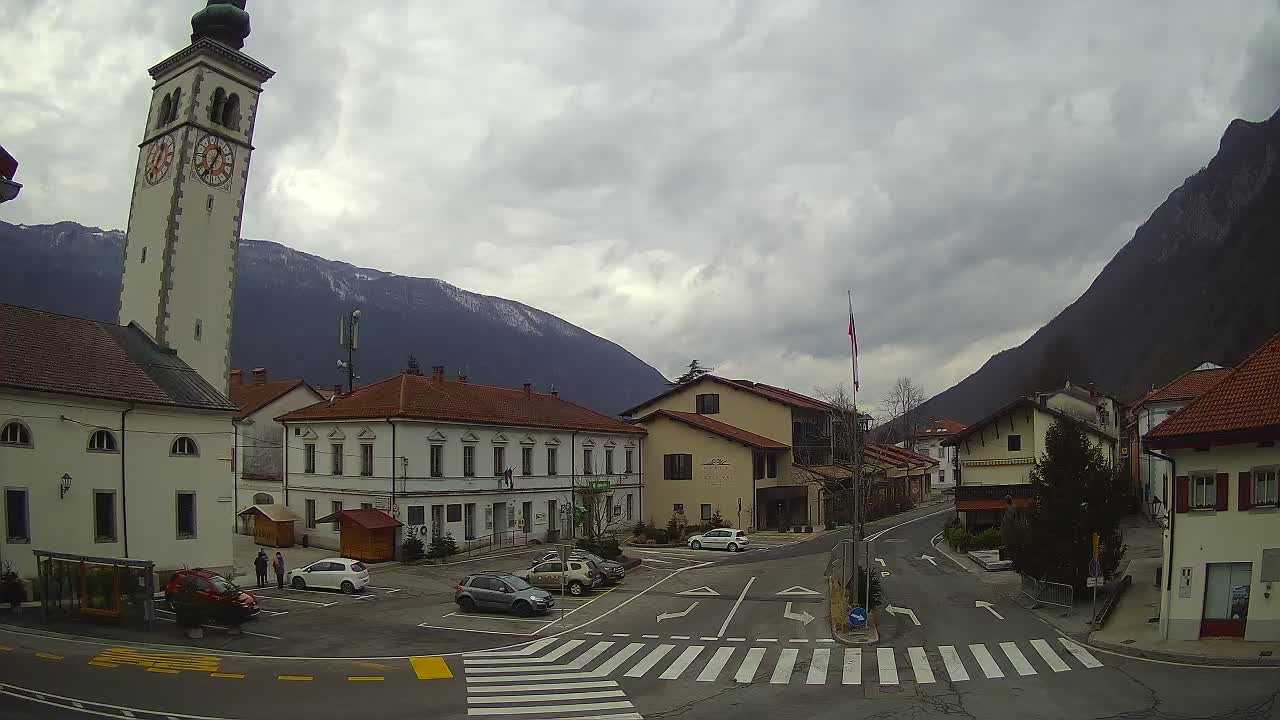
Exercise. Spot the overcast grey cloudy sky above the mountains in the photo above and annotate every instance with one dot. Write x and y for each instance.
(687, 179)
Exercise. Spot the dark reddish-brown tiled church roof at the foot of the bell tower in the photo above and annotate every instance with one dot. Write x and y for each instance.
(62, 354)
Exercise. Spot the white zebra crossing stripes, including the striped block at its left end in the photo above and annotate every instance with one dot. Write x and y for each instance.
(556, 671)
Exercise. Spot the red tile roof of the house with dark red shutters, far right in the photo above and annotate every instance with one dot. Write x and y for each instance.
(1244, 407)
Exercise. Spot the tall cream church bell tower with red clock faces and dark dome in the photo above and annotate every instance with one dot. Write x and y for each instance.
(189, 193)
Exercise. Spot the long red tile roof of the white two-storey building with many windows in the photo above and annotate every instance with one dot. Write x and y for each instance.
(427, 399)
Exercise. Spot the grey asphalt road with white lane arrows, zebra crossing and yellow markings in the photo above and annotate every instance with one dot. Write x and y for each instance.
(697, 635)
